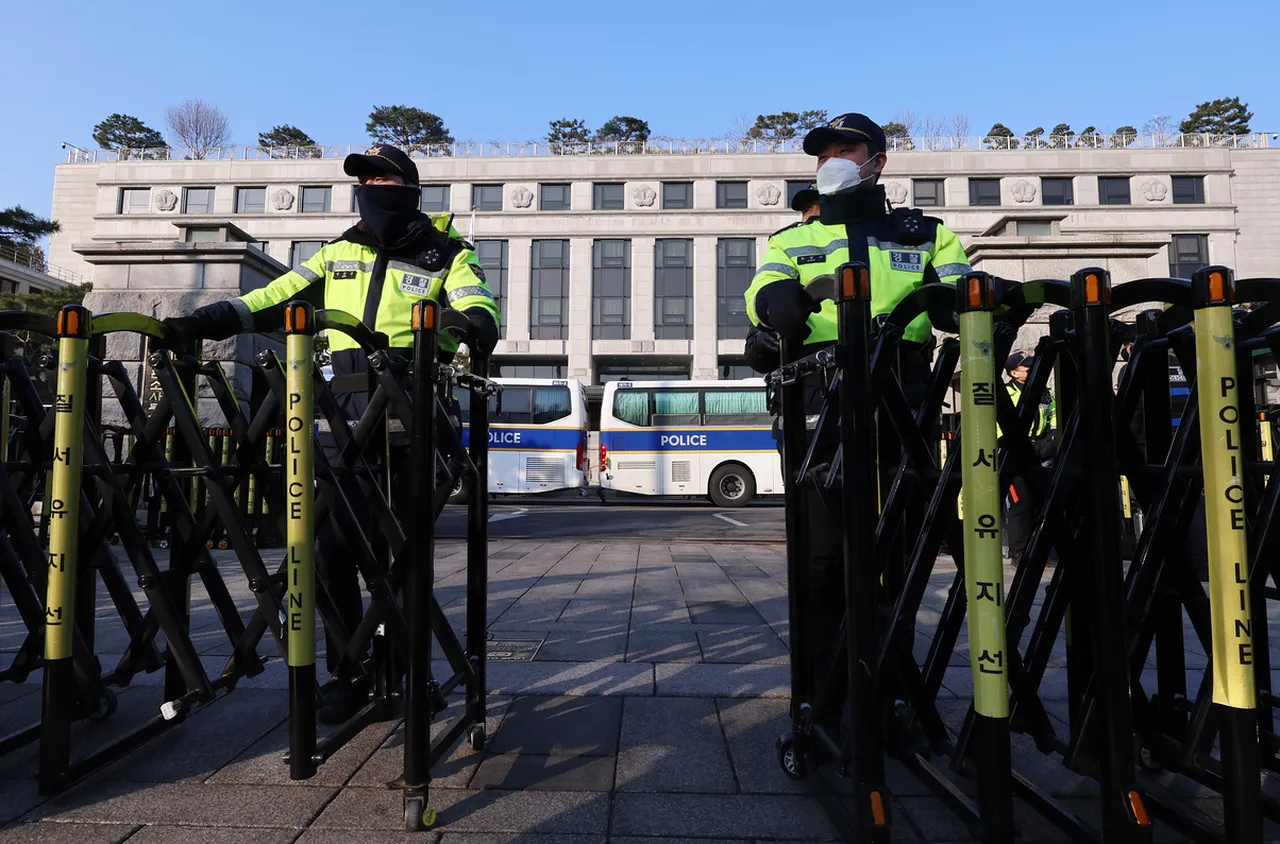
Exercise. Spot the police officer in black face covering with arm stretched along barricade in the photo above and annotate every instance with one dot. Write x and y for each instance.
(392, 258)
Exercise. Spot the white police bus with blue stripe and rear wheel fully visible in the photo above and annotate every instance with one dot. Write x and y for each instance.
(711, 439)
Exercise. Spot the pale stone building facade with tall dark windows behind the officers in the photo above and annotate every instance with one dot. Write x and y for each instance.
(615, 263)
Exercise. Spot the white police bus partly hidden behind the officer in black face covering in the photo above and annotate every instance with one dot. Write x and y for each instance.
(537, 436)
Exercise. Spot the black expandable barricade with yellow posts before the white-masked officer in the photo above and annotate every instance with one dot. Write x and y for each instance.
(1132, 722)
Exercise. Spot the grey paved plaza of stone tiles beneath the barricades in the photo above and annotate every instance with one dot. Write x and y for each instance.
(641, 699)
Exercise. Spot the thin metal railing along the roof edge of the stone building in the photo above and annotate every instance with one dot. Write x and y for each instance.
(696, 147)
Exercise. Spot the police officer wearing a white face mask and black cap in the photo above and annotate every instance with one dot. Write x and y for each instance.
(904, 250)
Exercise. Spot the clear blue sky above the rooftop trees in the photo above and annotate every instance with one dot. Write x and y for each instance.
(501, 71)
